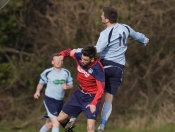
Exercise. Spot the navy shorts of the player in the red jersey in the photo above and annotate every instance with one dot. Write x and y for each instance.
(78, 102)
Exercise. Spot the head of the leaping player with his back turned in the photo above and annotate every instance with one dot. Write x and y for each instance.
(109, 14)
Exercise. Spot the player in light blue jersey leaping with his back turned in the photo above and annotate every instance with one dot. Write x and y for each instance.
(112, 47)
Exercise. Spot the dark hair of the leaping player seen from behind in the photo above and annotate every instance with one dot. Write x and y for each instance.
(111, 14)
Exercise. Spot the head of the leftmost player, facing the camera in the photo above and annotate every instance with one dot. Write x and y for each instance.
(56, 60)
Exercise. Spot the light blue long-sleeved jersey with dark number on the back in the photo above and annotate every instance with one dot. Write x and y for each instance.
(112, 42)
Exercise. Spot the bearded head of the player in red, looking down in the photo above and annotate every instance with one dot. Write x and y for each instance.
(88, 55)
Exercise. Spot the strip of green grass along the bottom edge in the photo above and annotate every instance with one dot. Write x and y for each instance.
(82, 128)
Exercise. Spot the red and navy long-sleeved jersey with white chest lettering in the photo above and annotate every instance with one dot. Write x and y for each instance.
(92, 78)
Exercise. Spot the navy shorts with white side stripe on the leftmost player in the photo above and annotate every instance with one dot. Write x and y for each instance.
(53, 106)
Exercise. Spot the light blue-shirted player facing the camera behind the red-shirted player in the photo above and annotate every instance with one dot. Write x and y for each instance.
(58, 80)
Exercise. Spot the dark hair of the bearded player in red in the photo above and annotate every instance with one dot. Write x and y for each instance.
(89, 51)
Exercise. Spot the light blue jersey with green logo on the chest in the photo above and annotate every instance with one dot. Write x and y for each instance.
(54, 80)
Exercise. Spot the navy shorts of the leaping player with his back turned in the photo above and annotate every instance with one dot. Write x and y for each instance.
(113, 76)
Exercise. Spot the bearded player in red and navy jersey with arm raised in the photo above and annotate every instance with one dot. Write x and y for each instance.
(91, 80)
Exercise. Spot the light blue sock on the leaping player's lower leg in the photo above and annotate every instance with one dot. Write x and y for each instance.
(106, 112)
